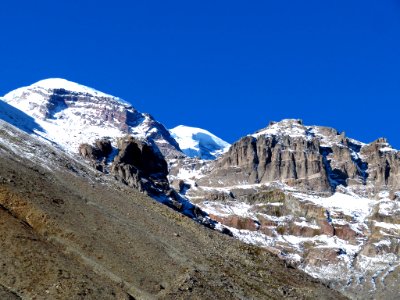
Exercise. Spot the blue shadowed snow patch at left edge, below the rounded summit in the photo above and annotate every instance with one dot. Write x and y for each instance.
(18, 118)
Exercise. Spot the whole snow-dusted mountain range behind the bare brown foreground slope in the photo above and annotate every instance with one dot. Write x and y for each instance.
(325, 203)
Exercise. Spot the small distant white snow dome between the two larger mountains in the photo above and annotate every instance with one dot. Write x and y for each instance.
(197, 142)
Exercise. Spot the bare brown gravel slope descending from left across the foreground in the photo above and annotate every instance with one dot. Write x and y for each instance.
(70, 232)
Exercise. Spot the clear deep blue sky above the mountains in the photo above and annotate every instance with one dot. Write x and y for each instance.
(226, 66)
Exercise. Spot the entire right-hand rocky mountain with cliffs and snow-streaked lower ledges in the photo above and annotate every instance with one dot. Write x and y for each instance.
(323, 202)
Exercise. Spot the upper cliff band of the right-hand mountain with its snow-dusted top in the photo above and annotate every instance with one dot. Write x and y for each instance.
(309, 158)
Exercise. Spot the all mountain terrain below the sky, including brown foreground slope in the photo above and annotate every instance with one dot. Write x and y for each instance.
(73, 159)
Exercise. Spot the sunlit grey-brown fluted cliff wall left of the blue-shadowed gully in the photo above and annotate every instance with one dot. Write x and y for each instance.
(296, 162)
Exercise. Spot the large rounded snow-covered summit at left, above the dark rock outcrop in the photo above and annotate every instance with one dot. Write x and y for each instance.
(69, 114)
